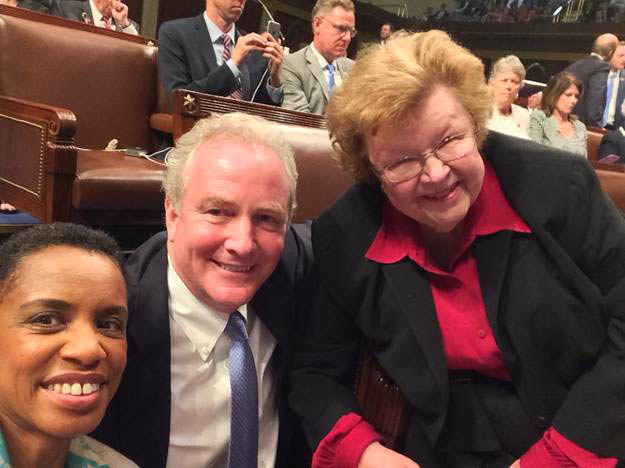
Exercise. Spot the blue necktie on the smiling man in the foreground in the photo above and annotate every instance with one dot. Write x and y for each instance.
(243, 451)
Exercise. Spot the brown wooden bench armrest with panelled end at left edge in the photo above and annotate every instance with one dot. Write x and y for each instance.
(38, 163)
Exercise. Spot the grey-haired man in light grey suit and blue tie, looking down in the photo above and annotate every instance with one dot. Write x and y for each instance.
(310, 75)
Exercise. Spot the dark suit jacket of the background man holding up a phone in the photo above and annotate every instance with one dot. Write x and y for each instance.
(186, 59)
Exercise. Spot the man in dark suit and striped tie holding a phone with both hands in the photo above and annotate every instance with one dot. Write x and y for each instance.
(209, 54)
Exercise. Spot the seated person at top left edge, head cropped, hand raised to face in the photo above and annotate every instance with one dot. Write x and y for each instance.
(107, 14)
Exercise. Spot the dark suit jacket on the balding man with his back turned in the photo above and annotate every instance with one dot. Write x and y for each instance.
(593, 73)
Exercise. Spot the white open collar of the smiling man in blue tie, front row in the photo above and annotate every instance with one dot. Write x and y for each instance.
(202, 324)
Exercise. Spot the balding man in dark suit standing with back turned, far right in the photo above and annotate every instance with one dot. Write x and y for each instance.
(593, 71)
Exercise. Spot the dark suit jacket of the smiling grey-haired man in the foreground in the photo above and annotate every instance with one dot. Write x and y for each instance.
(137, 421)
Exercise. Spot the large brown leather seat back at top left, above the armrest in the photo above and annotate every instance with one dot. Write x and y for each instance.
(107, 79)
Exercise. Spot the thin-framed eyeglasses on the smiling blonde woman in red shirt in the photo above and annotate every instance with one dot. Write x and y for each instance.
(450, 149)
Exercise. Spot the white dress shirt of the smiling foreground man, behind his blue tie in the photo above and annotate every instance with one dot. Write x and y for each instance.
(200, 382)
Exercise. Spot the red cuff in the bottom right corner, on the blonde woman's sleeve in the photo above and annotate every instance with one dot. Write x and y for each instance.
(554, 450)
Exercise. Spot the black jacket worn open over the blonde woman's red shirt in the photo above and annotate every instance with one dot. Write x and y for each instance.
(555, 300)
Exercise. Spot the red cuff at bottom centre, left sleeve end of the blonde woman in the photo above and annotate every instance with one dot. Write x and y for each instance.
(342, 447)
